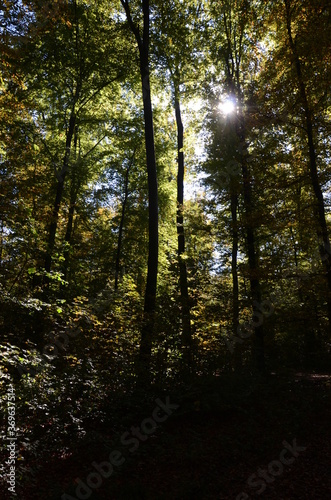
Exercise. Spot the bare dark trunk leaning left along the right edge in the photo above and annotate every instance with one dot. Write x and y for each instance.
(322, 229)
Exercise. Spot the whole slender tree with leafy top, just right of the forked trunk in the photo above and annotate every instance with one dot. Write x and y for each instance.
(178, 60)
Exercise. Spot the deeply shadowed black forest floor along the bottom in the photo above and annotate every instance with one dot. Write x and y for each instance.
(224, 439)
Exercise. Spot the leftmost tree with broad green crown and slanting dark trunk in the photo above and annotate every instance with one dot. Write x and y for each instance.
(68, 49)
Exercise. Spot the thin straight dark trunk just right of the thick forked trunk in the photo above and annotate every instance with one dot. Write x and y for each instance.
(186, 312)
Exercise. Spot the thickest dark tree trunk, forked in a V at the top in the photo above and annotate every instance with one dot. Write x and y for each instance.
(153, 244)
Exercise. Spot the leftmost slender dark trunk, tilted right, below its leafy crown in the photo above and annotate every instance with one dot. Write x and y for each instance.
(59, 194)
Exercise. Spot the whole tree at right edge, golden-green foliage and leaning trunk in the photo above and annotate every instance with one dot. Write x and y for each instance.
(295, 104)
